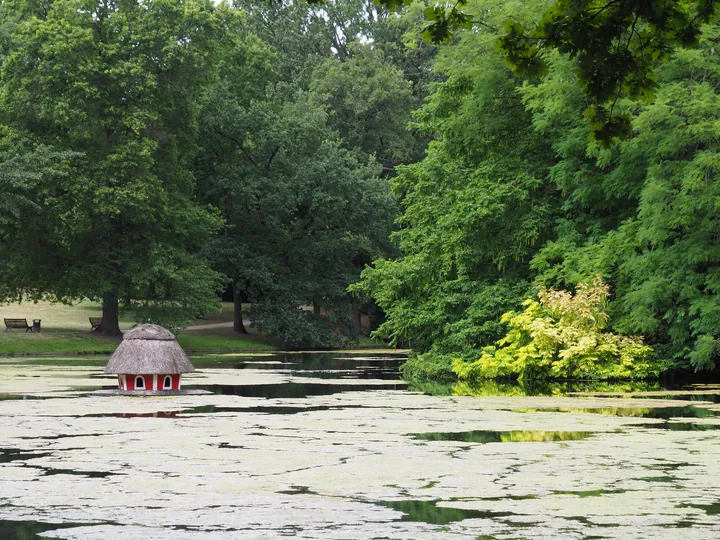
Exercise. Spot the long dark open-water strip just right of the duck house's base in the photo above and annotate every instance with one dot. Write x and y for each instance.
(295, 390)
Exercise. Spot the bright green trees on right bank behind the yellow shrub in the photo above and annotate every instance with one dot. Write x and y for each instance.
(514, 191)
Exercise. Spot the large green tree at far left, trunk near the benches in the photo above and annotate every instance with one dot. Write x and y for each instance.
(116, 82)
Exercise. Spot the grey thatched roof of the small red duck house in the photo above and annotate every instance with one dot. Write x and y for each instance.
(149, 349)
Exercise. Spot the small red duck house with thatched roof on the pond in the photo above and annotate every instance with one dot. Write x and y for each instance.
(149, 359)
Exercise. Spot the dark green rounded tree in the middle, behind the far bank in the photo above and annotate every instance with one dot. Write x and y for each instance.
(300, 211)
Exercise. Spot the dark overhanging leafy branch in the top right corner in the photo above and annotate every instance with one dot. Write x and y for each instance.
(616, 46)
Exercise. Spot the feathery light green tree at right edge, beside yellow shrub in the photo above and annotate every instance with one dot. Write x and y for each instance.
(660, 248)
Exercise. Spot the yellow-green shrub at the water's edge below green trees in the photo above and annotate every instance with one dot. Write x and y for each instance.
(561, 336)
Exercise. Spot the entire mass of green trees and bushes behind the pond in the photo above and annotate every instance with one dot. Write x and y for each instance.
(152, 151)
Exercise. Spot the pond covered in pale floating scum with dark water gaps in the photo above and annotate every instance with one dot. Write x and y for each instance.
(334, 445)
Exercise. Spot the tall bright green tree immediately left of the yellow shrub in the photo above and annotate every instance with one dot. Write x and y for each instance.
(475, 210)
